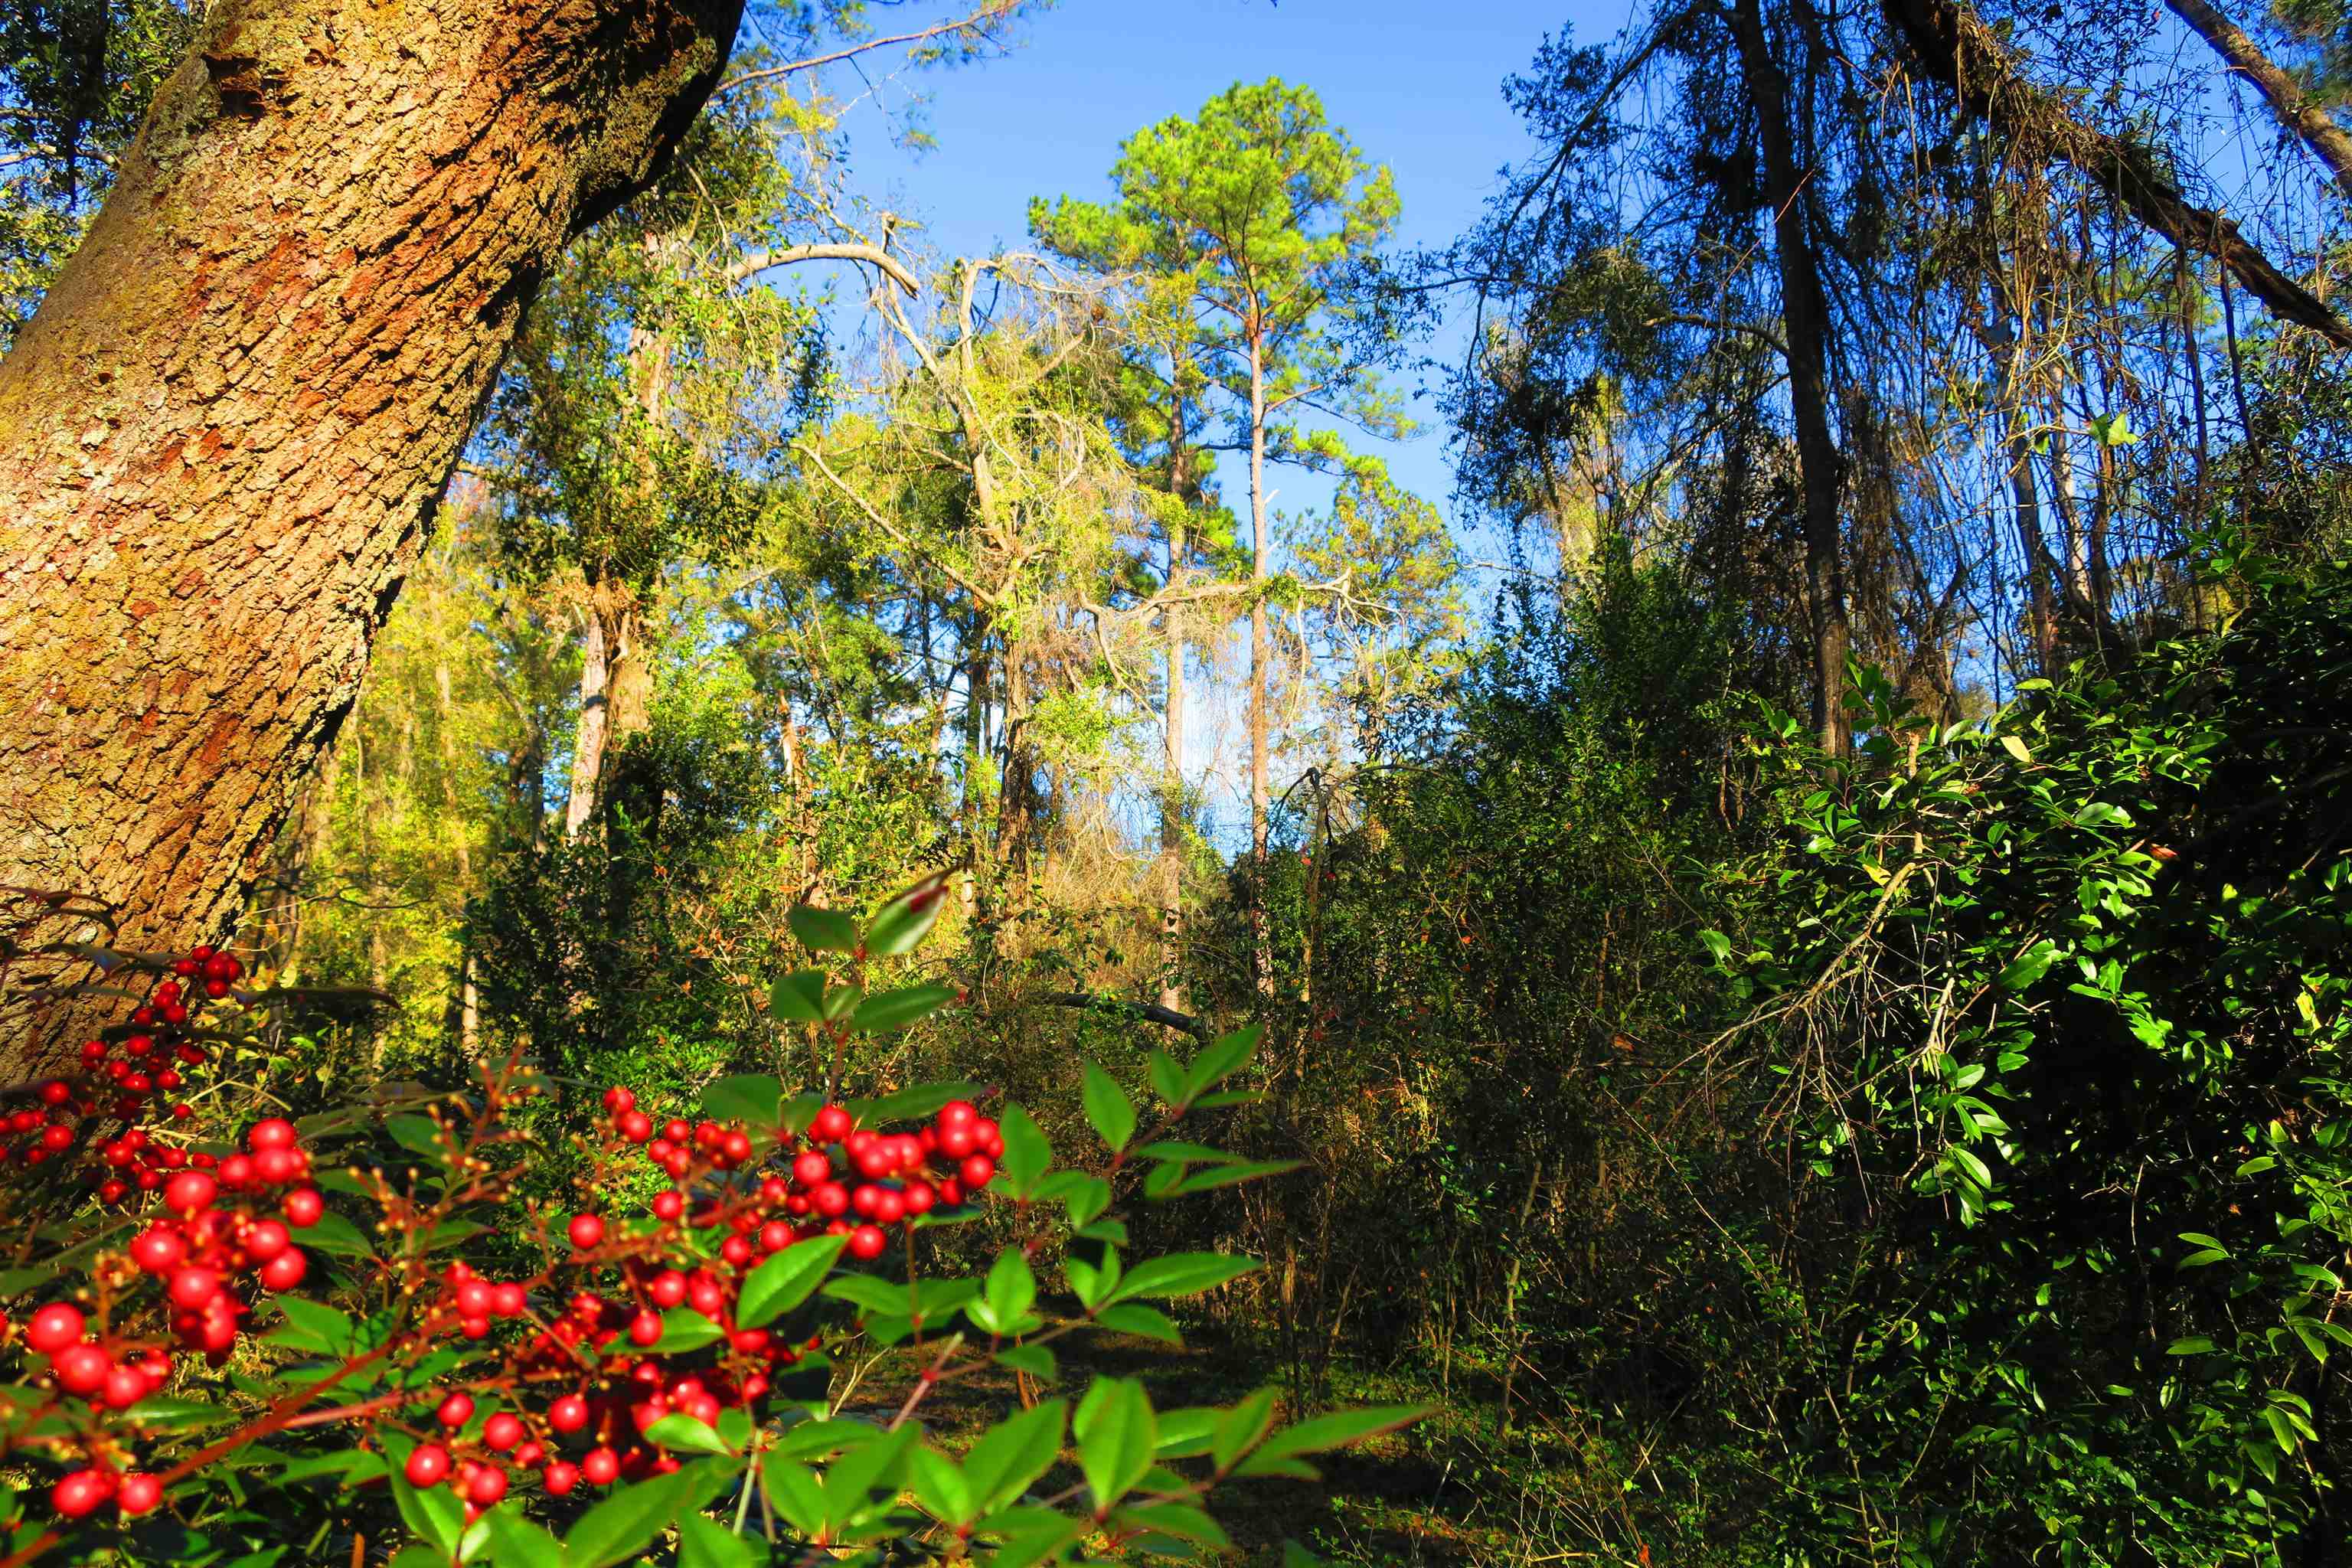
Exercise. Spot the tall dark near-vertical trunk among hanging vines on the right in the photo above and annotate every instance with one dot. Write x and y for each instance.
(1805, 314)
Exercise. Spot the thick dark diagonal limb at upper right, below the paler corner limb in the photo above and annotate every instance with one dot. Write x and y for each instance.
(1956, 46)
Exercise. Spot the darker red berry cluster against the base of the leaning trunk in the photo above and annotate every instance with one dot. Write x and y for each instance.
(126, 1087)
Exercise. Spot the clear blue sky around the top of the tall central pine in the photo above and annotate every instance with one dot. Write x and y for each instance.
(1415, 83)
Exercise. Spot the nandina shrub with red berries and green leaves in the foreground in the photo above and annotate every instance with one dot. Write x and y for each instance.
(283, 1348)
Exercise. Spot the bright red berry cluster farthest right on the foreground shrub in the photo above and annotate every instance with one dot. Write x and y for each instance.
(888, 1179)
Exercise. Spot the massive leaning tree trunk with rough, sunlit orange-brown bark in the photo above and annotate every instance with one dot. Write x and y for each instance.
(225, 431)
